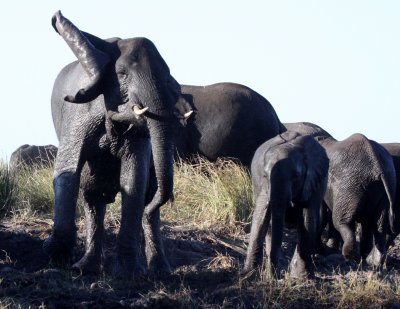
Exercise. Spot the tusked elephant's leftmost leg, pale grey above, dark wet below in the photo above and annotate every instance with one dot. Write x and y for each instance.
(59, 245)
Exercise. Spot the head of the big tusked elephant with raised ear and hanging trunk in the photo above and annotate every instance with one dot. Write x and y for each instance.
(131, 75)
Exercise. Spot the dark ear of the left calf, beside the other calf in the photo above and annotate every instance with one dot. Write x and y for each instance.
(317, 164)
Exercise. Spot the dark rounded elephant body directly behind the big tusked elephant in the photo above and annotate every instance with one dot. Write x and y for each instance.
(229, 120)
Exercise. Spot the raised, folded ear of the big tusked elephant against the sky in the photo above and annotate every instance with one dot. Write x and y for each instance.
(93, 60)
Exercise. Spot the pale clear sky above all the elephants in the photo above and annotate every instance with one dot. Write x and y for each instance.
(334, 63)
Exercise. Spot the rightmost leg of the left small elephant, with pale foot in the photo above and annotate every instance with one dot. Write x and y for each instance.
(301, 266)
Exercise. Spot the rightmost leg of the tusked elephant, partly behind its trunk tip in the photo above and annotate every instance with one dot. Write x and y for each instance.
(154, 247)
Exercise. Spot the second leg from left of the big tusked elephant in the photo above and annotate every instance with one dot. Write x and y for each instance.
(94, 217)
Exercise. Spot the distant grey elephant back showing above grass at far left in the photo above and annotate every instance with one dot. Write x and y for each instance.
(32, 155)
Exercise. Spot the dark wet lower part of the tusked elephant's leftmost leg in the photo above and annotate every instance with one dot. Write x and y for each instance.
(59, 245)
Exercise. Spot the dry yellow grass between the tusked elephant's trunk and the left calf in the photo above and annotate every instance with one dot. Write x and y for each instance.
(207, 194)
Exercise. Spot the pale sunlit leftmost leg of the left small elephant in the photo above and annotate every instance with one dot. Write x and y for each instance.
(259, 227)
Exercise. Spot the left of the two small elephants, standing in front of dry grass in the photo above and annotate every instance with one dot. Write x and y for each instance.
(289, 175)
